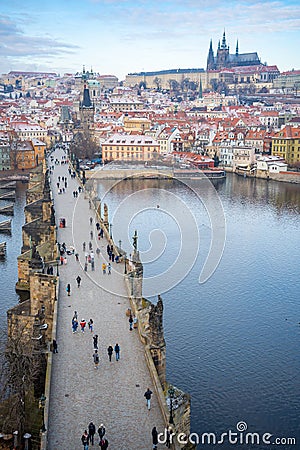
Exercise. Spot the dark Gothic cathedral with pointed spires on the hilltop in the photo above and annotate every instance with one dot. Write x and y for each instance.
(224, 59)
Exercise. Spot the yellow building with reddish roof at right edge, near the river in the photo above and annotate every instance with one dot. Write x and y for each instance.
(286, 144)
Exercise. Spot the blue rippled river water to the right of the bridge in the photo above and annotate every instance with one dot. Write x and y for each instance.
(233, 341)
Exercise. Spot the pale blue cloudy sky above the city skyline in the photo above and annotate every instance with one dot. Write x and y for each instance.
(119, 37)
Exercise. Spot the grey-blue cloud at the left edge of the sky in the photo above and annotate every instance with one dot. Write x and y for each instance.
(15, 43)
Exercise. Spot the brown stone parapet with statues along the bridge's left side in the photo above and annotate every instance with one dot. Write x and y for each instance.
(32, 321)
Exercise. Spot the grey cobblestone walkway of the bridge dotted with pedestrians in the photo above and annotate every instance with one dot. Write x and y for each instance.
(113, 394)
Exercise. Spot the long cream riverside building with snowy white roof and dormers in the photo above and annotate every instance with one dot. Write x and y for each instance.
(133, 147)
